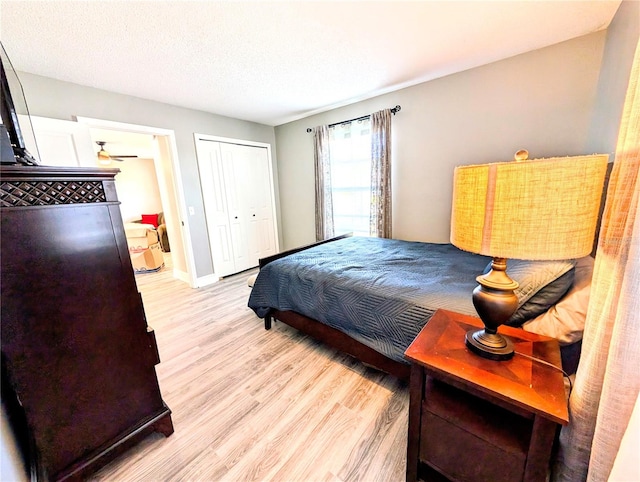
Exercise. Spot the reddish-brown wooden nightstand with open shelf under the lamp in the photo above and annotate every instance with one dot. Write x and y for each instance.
(476, 419)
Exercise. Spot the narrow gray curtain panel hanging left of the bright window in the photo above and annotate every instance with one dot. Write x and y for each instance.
(324, 204)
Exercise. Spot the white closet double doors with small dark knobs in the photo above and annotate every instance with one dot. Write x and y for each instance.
(237, 189)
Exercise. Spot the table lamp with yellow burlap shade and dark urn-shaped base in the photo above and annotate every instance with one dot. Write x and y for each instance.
(538, 209)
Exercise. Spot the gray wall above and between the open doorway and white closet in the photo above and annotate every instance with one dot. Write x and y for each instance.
(62, 100)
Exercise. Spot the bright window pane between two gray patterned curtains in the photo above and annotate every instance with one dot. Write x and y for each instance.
(350, 158)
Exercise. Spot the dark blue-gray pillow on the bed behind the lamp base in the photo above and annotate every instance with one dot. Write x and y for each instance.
(542, 285)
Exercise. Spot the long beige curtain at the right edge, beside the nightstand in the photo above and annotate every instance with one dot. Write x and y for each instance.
(608, 378)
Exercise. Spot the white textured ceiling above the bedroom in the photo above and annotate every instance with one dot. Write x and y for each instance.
(274, 62)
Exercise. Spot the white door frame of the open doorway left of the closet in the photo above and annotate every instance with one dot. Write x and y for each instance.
(183, 222)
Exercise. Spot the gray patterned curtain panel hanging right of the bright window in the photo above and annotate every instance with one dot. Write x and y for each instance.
(380, 217)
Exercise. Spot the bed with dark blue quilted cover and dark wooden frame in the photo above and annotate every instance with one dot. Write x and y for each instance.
(370, 297)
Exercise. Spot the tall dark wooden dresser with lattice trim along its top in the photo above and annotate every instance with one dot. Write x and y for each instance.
(78, 359)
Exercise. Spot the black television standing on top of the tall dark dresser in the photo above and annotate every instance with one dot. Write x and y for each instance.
(13, 149)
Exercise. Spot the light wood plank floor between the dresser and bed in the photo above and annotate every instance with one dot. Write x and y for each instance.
(250, 404)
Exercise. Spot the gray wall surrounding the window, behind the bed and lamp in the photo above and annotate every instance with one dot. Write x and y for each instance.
(541, 101)
